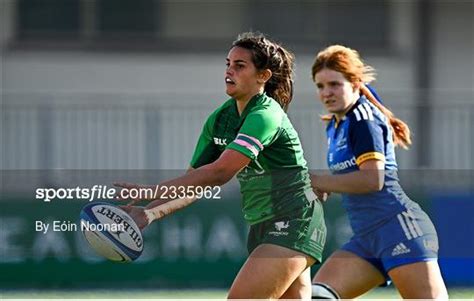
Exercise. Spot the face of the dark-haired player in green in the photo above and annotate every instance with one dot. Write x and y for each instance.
(242, 78)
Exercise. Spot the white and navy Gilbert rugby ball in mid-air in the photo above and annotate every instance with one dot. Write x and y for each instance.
(111, 232)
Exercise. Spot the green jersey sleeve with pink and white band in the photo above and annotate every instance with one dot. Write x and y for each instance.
(257, 132)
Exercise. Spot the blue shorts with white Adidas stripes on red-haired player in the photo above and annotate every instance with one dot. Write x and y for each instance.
(408, 237)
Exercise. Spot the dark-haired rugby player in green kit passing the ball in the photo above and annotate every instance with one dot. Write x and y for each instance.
(251, 136)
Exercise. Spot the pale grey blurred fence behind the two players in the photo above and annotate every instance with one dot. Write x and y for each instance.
(97, 131)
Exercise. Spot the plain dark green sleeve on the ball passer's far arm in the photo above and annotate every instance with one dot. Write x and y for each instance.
(206, 151)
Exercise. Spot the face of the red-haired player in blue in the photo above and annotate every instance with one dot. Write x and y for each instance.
(336, 93)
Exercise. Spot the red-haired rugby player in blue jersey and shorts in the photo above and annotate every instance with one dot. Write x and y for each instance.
(393, 238)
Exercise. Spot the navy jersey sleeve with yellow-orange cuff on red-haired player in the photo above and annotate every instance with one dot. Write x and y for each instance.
(367, 140)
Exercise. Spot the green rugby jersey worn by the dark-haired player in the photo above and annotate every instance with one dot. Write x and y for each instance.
(276, 181)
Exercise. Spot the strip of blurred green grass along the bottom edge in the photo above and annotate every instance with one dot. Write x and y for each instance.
(380, 293)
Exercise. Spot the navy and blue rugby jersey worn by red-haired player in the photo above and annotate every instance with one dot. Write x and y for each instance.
(364, 134)
